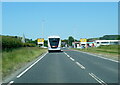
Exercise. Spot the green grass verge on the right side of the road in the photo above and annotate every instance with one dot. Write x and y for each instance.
(110, 51)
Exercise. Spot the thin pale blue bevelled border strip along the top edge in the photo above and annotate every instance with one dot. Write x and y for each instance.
(60, 0)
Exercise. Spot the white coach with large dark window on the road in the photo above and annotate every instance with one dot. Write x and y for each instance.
(54, 43)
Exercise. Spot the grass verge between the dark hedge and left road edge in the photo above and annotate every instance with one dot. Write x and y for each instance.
(15, 59)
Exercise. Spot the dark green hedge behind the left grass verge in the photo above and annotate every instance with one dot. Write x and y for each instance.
(13, 42)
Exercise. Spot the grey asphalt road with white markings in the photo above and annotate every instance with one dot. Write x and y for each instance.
(70, 66)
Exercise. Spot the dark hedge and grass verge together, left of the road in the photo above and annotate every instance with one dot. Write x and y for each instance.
(16, 54)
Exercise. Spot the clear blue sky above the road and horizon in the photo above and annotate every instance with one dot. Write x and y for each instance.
(77, 19)
